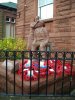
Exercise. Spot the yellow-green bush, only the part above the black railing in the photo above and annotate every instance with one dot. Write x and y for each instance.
(13, 44)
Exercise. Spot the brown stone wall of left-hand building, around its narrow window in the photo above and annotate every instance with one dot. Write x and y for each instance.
(3, 14)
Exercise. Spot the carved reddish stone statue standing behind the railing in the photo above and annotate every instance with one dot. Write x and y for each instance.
(39, 36)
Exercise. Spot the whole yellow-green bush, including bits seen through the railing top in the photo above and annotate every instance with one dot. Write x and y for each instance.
(10, 44)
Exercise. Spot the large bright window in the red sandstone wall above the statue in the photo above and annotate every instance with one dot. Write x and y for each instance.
(45, 9)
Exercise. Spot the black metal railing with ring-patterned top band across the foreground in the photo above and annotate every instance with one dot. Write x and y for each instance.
(55, 84)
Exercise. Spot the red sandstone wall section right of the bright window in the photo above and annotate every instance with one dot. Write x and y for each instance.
(64, 22)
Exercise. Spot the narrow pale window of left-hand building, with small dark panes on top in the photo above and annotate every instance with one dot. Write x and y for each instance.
(10, 27)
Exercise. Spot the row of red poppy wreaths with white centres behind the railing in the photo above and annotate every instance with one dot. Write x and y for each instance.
(35, 70)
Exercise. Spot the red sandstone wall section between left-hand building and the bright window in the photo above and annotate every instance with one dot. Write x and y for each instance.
(25, 15)
